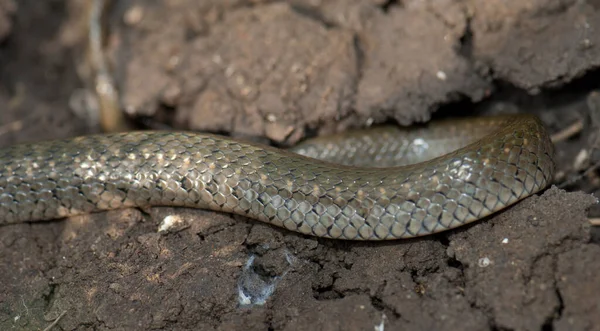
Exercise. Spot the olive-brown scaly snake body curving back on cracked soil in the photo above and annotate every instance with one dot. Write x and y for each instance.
(370, 184)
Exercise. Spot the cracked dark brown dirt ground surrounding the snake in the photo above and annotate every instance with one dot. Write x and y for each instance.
(279, 71)
